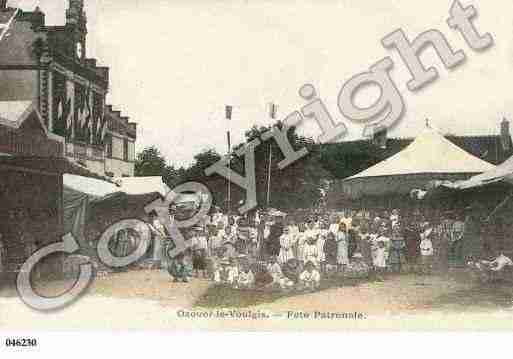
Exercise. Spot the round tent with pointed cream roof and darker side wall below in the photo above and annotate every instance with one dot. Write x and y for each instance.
(429, 157)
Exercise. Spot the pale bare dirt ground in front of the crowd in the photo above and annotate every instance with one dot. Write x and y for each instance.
(149, 299)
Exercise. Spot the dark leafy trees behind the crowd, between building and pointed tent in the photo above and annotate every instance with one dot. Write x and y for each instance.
(296, 186)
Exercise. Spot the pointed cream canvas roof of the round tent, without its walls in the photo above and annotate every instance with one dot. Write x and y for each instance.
(430, 152)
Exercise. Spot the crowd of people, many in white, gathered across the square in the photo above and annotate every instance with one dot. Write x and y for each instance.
(290, 252)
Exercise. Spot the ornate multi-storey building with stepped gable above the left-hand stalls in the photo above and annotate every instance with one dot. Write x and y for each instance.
(48, 66)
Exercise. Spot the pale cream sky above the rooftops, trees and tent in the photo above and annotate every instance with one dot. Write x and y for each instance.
(176, 63)
